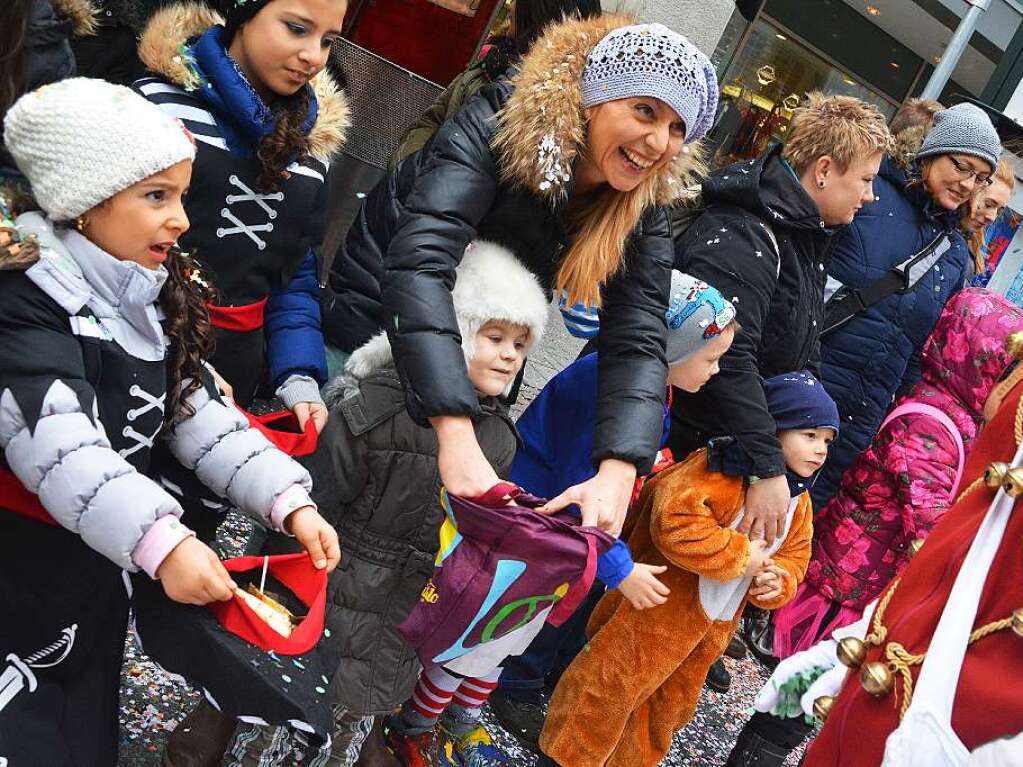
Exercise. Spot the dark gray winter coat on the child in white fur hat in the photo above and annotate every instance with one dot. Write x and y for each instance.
(377, 480)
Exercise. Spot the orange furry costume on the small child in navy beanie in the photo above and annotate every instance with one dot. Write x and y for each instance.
(639, 680)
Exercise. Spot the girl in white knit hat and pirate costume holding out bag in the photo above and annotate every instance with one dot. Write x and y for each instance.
(104, 334)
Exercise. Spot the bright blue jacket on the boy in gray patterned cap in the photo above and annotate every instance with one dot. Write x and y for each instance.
(557, 432)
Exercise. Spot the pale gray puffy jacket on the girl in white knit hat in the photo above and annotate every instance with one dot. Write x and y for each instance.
(52, 431)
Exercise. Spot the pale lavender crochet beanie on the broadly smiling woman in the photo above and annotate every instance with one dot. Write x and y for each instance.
(650, 60)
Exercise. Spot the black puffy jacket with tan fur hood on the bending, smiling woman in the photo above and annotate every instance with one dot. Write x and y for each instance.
(398, 264)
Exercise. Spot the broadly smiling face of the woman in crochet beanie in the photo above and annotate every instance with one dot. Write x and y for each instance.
(628, 142)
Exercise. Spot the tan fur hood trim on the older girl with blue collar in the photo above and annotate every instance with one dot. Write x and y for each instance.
(162, 50)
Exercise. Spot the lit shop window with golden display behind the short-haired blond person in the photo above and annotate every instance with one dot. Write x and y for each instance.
(766, 82)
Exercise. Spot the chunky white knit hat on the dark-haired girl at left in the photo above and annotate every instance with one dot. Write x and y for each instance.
(81, 142)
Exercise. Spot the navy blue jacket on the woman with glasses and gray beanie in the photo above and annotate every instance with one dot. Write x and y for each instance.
(875, 355)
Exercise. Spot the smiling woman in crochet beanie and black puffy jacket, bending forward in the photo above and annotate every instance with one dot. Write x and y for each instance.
(566, 165)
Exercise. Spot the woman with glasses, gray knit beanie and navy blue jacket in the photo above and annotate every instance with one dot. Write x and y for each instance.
(868, 360)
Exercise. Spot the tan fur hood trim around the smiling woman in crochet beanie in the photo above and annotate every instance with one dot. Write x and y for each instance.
(543, 127)
